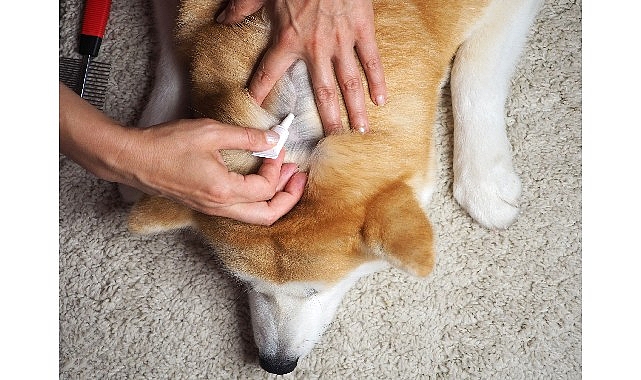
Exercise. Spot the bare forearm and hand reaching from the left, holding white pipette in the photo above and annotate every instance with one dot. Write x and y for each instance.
(181, 160)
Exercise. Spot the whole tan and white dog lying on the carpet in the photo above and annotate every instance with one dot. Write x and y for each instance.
(363, 209)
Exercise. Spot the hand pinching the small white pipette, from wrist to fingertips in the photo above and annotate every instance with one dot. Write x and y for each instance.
(181, 160)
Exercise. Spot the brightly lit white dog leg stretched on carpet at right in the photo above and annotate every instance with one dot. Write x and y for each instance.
(485, 183)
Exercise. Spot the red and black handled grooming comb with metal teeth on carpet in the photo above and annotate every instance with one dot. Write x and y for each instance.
(87, 76)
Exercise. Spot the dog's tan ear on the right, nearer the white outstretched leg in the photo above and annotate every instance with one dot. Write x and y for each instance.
(397, 229)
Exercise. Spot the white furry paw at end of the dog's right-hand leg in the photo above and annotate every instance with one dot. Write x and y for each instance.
(490, 195)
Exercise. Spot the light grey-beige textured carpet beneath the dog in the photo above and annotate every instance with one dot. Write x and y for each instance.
(500, 305)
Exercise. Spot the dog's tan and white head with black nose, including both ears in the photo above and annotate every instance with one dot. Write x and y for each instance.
(298, 270)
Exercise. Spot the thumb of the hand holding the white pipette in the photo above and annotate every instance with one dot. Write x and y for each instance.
(251, 139)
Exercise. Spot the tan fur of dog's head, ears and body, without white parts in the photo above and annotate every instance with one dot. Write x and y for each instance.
(360, 202)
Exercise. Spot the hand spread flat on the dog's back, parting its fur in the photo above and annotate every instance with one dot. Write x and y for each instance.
(323, 33)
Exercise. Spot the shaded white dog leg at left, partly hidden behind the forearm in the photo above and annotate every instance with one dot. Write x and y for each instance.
(168, 99)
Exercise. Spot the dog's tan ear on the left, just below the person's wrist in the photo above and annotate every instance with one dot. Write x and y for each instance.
(158, 214)
